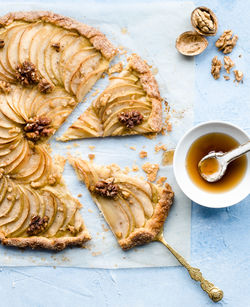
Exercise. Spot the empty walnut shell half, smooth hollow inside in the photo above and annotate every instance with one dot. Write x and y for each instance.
(191, 43)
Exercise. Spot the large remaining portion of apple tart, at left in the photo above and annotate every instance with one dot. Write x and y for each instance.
(47, 65)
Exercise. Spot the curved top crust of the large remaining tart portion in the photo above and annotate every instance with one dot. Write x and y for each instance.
(98, 39)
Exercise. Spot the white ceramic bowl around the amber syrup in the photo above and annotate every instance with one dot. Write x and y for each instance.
(202, 197)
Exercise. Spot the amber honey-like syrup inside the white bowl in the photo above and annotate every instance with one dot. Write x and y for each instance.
(215, 142)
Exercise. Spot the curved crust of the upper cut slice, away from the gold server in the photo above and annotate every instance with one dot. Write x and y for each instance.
(150, 86)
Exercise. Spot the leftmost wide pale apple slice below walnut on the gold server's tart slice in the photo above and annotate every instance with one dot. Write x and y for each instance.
(115, 216)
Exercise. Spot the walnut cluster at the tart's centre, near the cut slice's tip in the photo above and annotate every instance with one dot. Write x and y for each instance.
(37, 128)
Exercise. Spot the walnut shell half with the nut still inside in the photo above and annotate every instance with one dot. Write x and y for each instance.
(204, 21)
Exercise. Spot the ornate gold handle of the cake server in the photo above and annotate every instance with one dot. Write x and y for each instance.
(213, 292)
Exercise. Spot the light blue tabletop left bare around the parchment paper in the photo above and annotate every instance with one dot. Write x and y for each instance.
(220, 238)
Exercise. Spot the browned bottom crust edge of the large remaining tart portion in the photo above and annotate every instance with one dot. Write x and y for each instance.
(57, 244)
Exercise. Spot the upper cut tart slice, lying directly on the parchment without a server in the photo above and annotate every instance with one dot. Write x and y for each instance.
(131, 104)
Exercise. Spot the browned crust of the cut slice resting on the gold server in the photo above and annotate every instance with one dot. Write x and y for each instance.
(155, 224)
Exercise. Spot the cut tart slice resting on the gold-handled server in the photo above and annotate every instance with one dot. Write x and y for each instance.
(134, 209)
